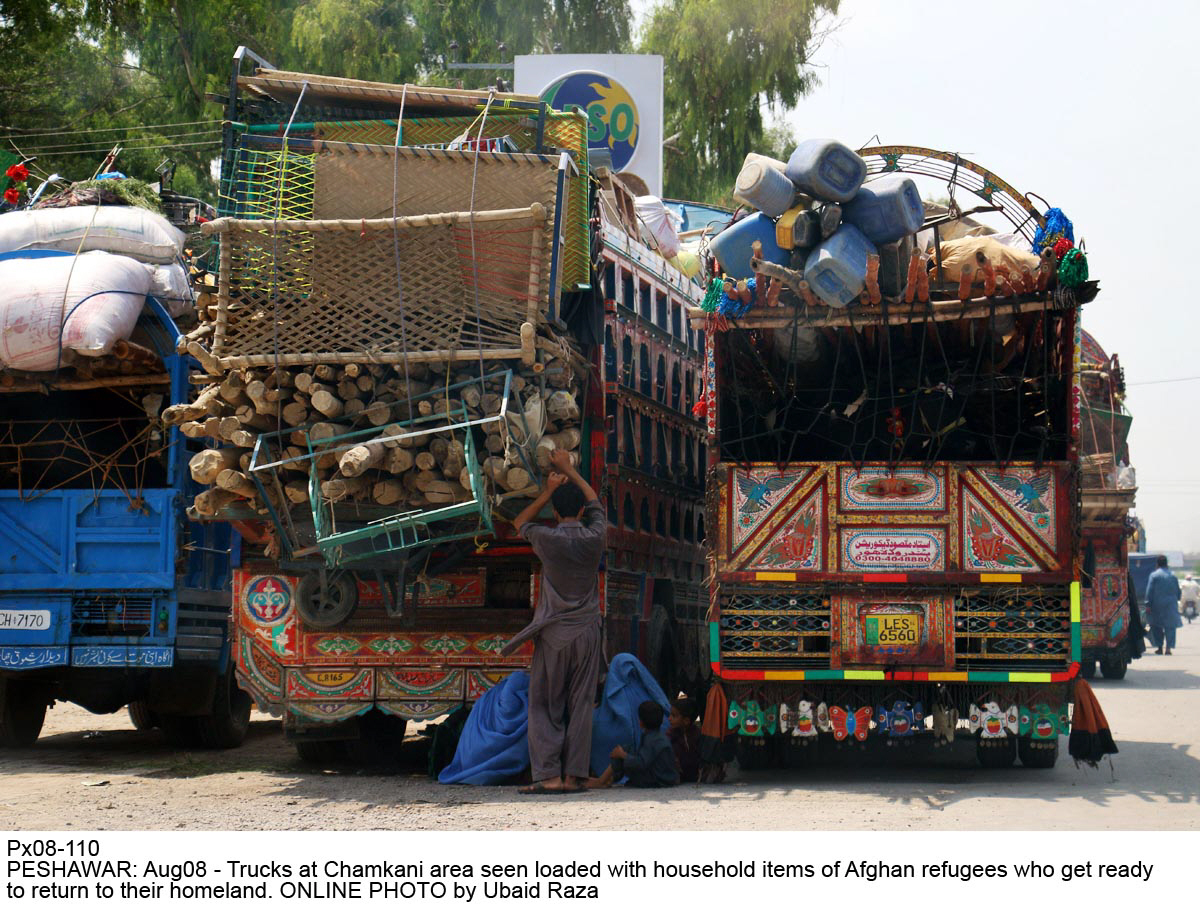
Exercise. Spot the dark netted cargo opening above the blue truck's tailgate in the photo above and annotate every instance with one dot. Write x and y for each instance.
(61, 451)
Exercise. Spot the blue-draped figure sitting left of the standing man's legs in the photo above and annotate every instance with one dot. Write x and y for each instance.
(495, 744)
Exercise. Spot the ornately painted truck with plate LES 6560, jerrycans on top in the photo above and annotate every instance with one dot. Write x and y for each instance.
(893, 498)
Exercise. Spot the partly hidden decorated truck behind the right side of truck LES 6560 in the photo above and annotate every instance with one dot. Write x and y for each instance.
(1111, 620)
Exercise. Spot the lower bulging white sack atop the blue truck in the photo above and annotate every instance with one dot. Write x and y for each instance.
(35, 298)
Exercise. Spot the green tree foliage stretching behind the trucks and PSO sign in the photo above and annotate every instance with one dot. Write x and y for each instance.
(81, 76)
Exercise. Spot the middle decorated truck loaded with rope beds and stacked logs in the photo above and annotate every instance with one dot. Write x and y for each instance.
(423, 293)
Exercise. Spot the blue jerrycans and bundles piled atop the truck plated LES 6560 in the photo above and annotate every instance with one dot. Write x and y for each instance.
(838, 229)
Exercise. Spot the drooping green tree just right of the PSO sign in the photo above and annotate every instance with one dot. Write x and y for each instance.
(724, 63)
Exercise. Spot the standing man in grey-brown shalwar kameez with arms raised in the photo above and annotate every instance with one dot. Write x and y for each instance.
(566, 628)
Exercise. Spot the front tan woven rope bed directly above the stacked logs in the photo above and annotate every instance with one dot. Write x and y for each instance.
(440, 287)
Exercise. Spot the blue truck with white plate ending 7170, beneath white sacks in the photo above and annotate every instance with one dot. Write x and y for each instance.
(110, 597)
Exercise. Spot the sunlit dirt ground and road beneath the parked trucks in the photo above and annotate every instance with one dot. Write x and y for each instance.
(95, 772)
